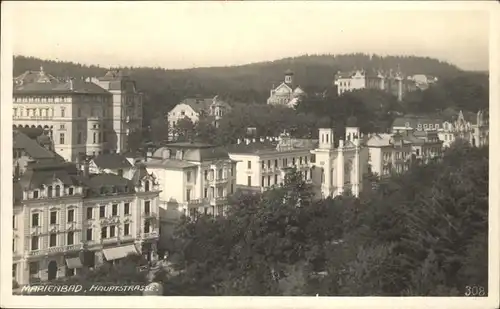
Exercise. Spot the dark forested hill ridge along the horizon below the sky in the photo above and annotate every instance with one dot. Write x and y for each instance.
(247, 83)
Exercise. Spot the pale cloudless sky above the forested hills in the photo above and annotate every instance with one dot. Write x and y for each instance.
(176, 35)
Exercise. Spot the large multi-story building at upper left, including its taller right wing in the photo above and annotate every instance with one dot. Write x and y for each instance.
(80, 116)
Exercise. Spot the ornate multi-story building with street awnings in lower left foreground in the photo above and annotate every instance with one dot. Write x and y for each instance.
(65, 220)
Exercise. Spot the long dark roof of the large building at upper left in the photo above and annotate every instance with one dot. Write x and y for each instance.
(75, 86)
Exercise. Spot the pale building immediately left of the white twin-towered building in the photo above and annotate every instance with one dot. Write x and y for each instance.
(263, 163)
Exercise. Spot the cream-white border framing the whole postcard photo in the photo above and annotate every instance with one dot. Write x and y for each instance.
(7, 300)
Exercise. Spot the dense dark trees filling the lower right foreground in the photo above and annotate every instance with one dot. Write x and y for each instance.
(421, 233)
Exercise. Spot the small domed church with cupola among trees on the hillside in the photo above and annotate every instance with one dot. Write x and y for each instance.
(287, 93)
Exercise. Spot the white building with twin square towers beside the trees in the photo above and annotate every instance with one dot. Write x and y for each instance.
(340, 167)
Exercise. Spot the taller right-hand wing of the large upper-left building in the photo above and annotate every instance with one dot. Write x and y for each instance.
(126, 107)
